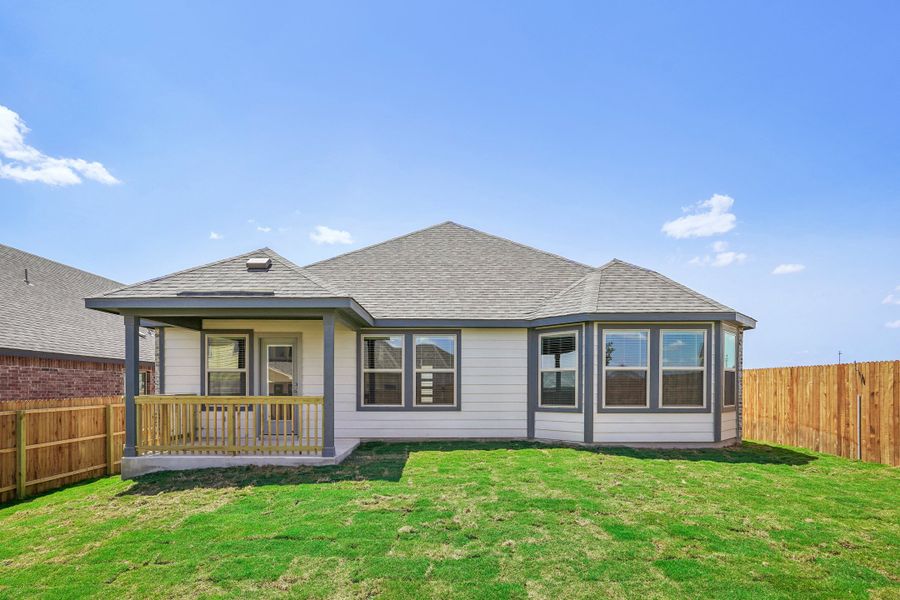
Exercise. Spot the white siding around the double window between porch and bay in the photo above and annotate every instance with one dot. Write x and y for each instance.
(494, 364)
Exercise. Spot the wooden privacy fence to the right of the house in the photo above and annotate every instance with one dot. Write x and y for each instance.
(851, 410)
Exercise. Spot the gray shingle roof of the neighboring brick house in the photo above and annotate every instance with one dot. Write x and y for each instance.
(48, 315)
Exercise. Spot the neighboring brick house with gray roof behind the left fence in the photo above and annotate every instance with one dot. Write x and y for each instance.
(51, 346)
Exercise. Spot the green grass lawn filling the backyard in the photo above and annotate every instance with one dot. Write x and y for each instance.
(472, 520)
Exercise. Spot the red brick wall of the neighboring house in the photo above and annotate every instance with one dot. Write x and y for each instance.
(24, 378)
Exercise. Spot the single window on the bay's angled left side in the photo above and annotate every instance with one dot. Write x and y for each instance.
(558, 370)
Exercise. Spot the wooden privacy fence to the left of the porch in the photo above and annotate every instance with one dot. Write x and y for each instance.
(45, 444)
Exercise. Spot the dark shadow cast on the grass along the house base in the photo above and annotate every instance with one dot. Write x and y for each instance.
(385, 461)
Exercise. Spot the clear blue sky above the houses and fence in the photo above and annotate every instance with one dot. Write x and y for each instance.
(577, 128)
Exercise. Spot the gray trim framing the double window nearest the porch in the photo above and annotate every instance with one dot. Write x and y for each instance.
(409, 381)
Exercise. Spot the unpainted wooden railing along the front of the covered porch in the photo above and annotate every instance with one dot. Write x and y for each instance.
(229, 425)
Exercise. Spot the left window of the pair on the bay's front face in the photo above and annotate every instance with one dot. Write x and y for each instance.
(626, 368)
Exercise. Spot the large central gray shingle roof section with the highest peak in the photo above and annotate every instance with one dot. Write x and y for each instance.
(450, 272)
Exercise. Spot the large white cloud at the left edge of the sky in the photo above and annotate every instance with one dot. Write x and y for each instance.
(27, 163)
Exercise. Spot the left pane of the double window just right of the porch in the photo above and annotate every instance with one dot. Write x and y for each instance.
(382, 370)
